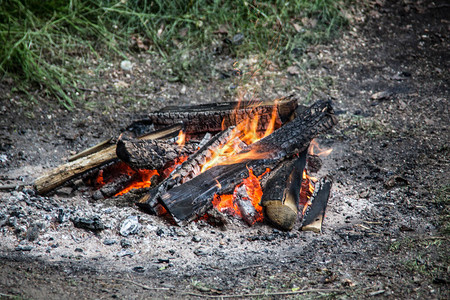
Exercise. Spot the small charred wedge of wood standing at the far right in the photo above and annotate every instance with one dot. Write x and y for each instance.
(315, 212)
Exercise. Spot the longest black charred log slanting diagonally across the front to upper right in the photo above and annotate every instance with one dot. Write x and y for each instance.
(193, 198)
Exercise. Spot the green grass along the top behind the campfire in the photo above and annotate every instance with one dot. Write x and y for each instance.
(43, 41)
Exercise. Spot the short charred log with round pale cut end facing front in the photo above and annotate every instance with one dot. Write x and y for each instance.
(282, 192)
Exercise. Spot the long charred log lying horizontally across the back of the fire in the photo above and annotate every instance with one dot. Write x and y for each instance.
(214, 117)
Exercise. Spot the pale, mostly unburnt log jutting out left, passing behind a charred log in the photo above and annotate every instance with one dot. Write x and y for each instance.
(61, 174)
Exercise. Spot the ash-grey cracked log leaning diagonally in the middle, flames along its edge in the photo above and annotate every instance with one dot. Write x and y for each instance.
(188, 169)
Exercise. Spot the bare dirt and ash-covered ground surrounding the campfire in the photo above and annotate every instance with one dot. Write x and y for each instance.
(386, 229)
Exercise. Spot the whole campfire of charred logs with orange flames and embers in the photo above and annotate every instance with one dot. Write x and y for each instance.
(247, 159)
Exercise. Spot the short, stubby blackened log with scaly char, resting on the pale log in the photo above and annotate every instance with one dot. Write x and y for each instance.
(151, 154)
